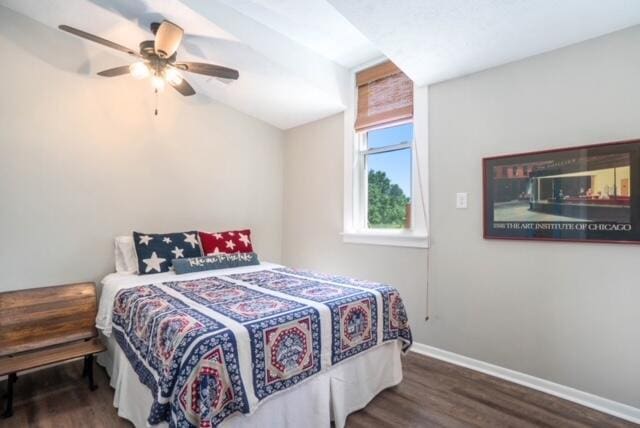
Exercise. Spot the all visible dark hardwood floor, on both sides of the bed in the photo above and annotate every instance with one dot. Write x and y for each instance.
(432, 394)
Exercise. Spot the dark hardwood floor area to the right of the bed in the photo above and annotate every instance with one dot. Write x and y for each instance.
(434, 393)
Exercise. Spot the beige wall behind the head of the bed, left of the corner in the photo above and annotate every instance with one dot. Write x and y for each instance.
(83, 159)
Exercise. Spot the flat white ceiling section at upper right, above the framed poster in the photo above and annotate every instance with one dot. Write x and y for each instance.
(435, 40)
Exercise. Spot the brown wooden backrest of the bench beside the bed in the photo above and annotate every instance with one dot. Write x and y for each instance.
(40, 317)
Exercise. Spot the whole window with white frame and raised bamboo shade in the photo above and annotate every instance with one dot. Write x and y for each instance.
(383, 187)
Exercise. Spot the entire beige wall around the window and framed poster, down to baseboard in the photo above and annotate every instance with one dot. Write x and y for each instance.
(564, 312)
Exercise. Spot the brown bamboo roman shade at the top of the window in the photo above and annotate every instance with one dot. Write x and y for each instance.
(385, 95)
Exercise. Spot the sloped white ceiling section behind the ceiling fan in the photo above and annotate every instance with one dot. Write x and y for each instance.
(282, 81)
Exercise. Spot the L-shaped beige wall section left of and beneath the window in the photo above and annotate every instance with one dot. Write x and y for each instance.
(313, 170)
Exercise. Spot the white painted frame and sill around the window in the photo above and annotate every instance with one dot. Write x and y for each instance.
(355, 230)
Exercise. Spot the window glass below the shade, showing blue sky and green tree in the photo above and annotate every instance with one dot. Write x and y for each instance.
(386, 161)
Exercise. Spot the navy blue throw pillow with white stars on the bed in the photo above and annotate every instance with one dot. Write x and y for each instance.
(155, 251)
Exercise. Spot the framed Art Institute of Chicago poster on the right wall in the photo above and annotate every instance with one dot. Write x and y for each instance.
(583, 194)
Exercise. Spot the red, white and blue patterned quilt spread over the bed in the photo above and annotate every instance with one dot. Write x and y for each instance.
(212, 347)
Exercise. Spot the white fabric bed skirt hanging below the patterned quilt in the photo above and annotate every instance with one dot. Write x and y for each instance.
(329, 396)
